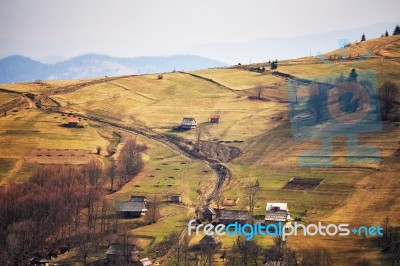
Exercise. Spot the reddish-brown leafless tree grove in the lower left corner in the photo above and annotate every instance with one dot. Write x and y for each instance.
(62, 206)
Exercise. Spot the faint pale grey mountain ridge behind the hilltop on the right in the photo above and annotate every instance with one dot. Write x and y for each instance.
(264, 49)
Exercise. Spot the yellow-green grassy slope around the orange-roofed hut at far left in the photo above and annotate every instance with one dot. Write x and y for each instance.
(30, 129)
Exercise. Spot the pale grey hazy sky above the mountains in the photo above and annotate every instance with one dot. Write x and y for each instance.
(40, 28)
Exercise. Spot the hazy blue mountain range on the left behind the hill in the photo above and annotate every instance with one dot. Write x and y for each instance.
(18, 68)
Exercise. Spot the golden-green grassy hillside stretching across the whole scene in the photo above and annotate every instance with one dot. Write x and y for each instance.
(355, 193)
